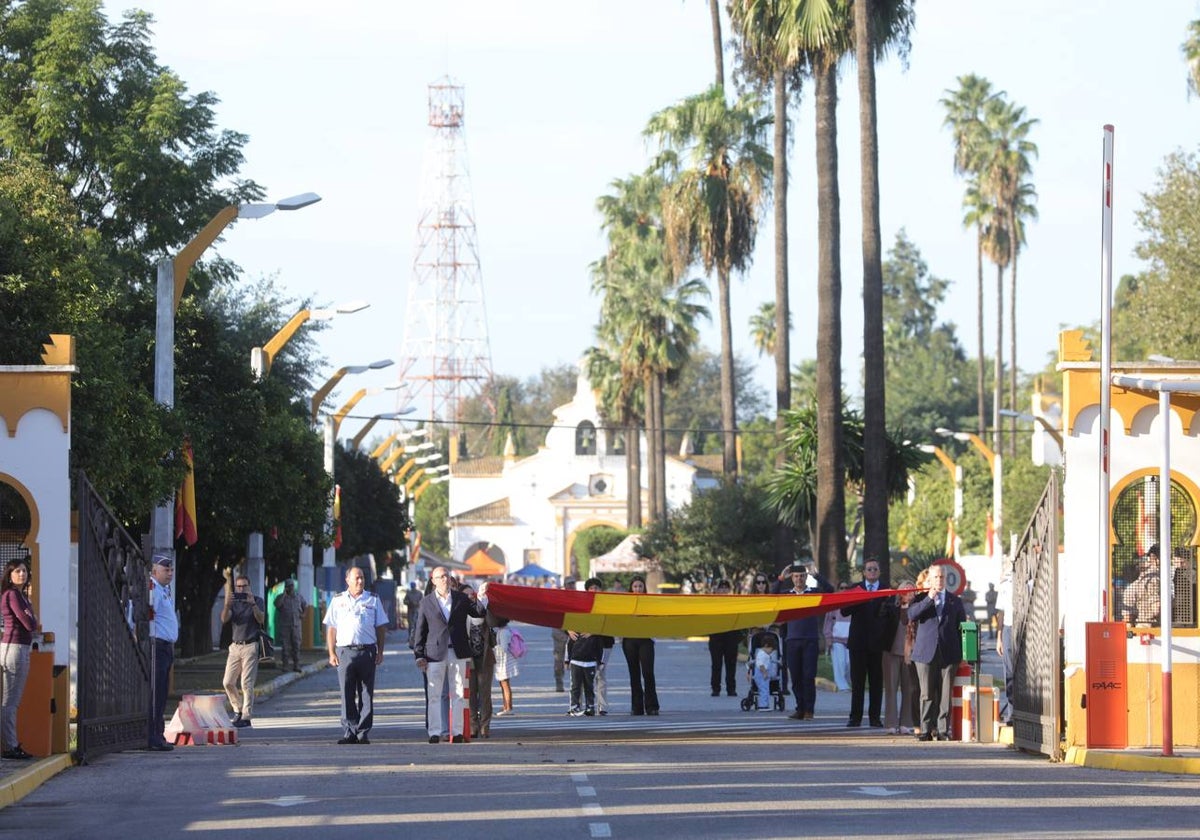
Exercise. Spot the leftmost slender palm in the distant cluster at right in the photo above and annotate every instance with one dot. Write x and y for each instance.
(964, 117)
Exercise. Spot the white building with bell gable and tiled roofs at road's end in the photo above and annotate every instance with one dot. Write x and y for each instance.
(524, 512)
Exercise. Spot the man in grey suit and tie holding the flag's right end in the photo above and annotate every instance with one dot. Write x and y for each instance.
(937, 652)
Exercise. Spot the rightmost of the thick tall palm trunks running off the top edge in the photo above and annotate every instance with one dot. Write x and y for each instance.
(868, 46)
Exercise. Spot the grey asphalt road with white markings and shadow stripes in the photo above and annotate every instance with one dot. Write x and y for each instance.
(704, 769)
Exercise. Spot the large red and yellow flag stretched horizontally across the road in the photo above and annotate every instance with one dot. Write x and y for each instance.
(641, 616)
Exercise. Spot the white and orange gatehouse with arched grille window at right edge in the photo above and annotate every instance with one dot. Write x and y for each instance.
(1129, 604)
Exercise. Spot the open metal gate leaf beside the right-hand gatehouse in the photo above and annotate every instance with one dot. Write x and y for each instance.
(1037, 646)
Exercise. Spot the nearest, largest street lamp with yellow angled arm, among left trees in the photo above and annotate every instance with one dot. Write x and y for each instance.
(172, 275)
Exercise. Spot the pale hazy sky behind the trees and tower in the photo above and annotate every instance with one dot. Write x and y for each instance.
(333, 99)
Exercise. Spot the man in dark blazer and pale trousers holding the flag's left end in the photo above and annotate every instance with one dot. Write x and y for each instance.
(442, 645)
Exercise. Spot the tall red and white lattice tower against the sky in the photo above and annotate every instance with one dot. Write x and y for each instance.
(446, 356)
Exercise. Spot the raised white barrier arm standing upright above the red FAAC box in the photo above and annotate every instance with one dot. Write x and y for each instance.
(1106, 369)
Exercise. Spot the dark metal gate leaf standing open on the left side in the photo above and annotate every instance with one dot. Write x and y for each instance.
(113, 688)
